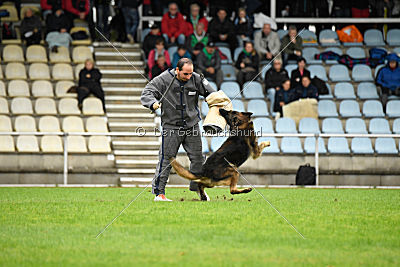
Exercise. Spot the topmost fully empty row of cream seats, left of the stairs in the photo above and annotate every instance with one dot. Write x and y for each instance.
(38, 54)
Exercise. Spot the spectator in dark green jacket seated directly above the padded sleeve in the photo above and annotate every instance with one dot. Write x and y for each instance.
(208, 62)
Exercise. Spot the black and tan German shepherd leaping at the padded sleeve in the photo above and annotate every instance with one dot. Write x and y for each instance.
(218, 169)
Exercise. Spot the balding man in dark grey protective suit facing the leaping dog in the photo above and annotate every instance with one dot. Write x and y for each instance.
(180, 118)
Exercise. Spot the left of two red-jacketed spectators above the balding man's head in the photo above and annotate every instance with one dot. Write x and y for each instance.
(173, 25)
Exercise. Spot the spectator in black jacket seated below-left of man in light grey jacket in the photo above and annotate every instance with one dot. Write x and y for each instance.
(247, 64)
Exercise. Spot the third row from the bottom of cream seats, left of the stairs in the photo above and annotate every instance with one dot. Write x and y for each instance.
(47, 106)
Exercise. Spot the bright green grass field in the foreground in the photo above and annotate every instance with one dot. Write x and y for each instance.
(57, 226)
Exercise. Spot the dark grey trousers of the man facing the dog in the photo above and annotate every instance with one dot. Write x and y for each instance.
(171, 141)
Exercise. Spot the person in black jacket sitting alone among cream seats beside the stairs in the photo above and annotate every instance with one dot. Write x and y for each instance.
(89, 82)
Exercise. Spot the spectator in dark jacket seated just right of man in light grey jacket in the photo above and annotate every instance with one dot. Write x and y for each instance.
(293, 44)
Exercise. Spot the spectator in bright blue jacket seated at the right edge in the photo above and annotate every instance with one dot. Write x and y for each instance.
(389, 79)
